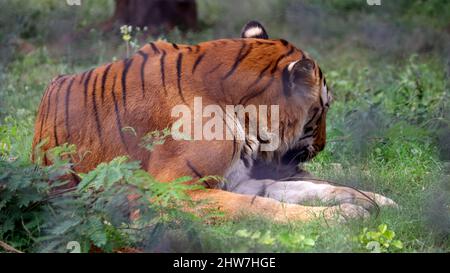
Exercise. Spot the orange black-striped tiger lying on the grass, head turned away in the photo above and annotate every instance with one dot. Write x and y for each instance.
(92, 109)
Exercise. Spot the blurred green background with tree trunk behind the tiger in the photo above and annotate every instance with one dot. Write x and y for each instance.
(388, 66)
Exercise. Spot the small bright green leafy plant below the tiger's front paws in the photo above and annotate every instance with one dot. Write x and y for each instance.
(381, 240)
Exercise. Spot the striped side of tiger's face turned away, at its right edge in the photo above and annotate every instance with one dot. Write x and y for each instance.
(312, 140)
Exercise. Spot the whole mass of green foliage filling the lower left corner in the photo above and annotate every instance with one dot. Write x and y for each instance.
(97, 214)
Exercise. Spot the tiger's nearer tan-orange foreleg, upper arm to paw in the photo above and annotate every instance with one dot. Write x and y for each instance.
(171, 161)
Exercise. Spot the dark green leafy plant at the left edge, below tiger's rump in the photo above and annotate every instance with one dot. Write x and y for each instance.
(26, 193)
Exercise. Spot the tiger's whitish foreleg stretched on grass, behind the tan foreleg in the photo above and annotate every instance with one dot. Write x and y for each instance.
(305, 191)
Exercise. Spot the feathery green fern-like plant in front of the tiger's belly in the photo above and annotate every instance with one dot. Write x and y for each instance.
(99, 213)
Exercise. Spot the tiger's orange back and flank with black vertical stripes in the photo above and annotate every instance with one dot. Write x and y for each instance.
(91, 109)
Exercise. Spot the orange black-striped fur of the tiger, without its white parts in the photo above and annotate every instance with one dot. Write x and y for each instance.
(90, 110)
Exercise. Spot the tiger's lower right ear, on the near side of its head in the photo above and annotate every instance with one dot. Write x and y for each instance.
(301, 73)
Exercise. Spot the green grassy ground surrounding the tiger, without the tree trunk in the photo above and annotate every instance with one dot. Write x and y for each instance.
(388, 129)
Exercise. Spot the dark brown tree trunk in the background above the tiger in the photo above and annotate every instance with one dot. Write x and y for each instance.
(157, 15)
